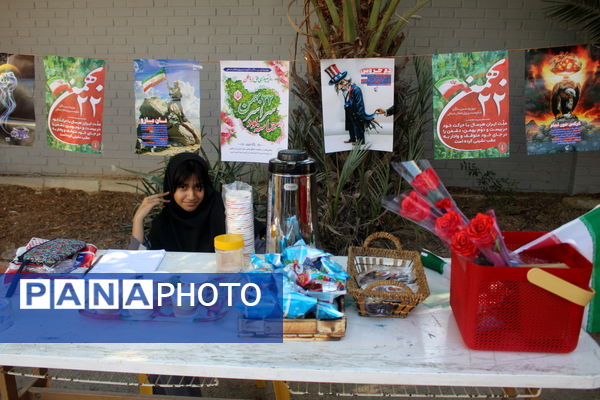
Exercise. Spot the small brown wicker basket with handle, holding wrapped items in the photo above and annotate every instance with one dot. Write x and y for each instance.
(374, 302)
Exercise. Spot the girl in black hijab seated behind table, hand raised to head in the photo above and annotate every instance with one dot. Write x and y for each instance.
(193, 212)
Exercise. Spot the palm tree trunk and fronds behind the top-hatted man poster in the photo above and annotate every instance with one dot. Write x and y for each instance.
(352, 183)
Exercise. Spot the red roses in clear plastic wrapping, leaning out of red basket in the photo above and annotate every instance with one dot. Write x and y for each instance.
(431, 206)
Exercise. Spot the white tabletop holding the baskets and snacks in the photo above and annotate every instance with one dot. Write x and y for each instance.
(423, 349)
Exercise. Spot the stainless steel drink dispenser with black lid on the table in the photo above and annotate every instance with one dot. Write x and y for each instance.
(291, 200)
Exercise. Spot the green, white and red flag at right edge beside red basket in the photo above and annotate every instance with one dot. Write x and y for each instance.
(582, 233)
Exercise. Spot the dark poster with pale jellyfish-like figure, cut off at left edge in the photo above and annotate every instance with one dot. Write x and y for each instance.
(17, 116)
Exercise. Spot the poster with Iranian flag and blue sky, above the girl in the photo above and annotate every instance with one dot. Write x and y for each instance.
(167, 106)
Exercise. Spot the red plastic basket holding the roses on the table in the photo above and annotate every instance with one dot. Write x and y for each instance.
(497, 308)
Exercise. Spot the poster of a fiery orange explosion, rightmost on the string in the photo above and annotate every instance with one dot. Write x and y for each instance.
(562, 92)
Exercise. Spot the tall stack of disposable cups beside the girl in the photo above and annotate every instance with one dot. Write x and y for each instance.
(239, 215)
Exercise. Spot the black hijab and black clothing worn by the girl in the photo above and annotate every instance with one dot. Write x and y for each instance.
(175, 229)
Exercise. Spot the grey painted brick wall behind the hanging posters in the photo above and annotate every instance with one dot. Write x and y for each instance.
(212, 30)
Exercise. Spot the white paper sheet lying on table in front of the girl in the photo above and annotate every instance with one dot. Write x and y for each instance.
(142, 261)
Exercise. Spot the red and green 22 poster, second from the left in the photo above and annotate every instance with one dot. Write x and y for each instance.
(74, 103)
